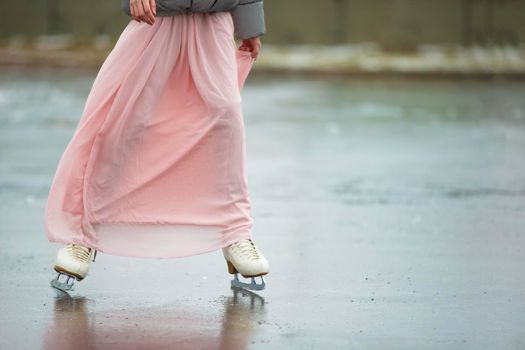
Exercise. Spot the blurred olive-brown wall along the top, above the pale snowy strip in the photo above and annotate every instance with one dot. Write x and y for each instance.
(394, 24)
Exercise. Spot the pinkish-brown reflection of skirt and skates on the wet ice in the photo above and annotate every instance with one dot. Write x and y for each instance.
(78, 325)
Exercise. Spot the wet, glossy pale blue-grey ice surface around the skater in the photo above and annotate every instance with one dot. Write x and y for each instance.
(392, 213)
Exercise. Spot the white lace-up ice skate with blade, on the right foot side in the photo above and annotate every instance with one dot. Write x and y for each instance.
(245, 258)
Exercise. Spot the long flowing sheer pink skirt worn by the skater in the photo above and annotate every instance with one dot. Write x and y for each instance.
(156, 166)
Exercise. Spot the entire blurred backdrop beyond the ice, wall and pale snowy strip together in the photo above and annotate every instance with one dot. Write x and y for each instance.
(449, 36)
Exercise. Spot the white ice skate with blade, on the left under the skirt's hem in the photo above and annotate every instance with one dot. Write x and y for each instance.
(72, 262)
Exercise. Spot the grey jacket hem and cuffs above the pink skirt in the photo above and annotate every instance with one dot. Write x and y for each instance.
(247, 15)
